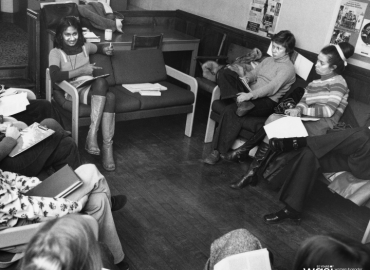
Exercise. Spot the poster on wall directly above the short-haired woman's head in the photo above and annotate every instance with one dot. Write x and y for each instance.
(263, 17)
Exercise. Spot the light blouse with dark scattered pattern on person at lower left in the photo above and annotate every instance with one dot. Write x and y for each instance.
(15, 205)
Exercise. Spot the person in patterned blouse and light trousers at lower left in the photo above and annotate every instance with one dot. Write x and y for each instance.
(17, 209)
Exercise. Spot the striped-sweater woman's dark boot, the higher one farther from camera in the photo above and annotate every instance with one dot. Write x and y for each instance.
(241, 153)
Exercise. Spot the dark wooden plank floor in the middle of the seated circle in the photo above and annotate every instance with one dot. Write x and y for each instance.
(178, 205)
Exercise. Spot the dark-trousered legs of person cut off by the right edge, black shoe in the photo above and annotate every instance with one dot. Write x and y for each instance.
(307, 157)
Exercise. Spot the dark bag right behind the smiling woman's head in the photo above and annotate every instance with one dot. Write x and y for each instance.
(52, 14)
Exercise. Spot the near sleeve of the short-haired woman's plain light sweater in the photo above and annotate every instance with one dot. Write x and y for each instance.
(281, 78)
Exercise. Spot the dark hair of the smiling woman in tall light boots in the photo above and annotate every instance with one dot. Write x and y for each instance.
(62, 26)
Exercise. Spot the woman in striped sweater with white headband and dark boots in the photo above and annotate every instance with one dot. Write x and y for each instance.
(325, 98)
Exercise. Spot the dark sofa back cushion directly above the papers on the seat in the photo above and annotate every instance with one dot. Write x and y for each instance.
(139, 66)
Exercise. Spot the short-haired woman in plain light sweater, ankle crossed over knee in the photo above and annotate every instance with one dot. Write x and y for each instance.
(269, 81)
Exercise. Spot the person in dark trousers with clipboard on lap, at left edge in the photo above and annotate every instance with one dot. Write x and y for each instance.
(55, 151)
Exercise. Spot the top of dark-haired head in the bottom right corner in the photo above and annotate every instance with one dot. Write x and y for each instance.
(333, 249)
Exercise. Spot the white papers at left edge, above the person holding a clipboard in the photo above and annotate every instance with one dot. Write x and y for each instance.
(13, 104)
